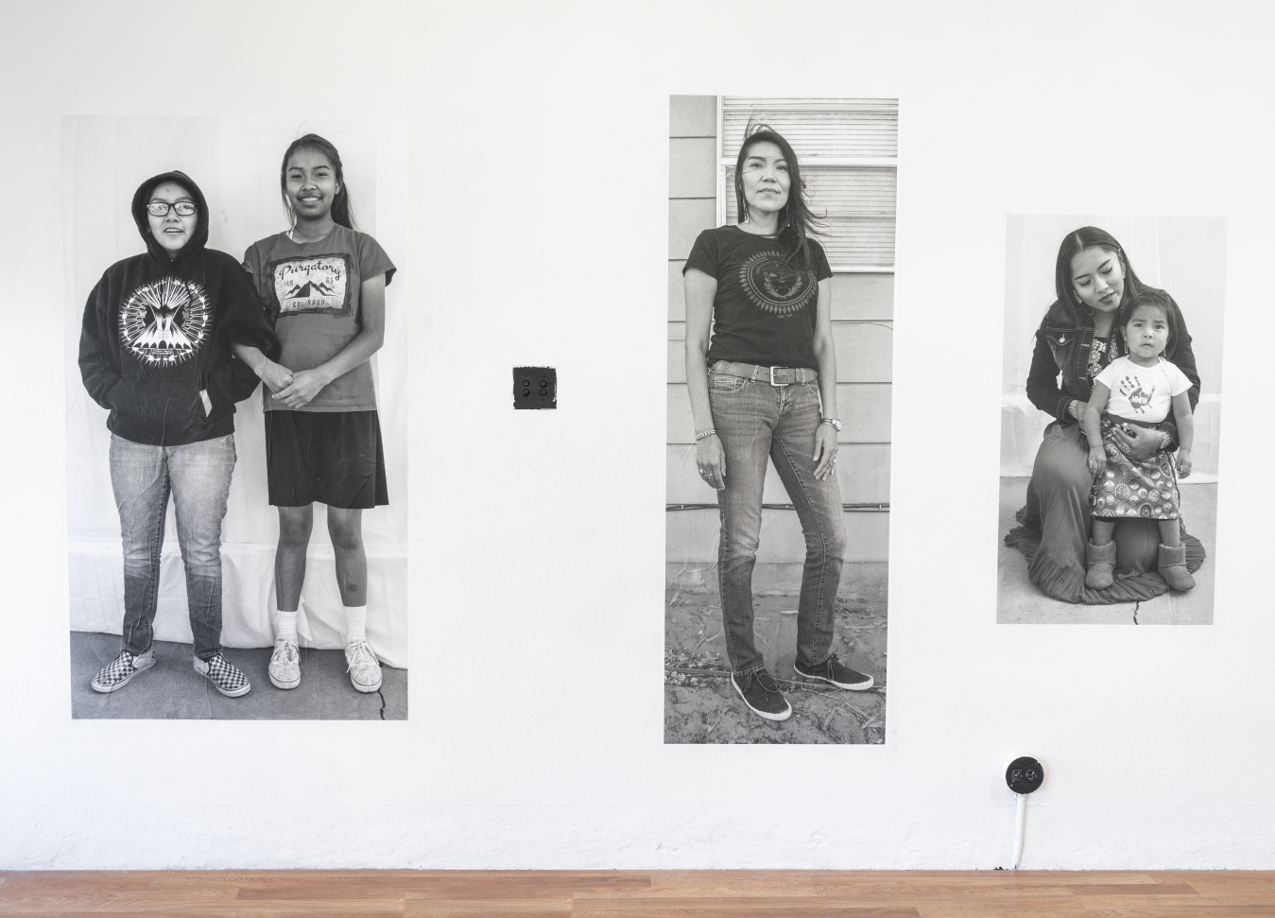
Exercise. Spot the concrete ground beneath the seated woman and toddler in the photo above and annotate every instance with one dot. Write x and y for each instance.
(1019, 602)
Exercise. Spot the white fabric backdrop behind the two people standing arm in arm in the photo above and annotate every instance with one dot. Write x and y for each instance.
(237, 163)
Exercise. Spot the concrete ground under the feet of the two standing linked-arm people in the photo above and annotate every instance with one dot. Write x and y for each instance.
(173, 690)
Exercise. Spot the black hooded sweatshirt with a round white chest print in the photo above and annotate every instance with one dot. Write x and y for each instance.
(159, 331)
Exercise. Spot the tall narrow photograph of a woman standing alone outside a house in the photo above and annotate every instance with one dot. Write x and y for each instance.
(781, 277)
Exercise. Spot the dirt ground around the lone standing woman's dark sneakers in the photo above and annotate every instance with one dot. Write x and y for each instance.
(702, 707)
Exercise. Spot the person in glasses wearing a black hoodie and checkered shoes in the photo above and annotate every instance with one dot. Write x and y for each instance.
(156, 351)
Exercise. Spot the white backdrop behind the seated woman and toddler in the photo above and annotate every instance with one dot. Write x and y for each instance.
(1184, 256)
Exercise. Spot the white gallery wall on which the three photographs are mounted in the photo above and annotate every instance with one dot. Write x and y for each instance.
(536, 180)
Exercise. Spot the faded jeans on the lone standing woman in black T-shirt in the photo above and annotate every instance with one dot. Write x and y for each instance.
(755, 421)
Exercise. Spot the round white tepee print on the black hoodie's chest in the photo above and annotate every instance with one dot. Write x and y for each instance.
(165, 323)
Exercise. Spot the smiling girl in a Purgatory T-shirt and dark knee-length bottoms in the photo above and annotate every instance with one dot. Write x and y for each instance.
(324, 286)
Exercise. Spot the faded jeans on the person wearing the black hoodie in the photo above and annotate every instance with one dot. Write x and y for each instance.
(200, 479)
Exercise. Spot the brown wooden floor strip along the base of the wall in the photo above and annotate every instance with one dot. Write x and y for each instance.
(643, 894)
